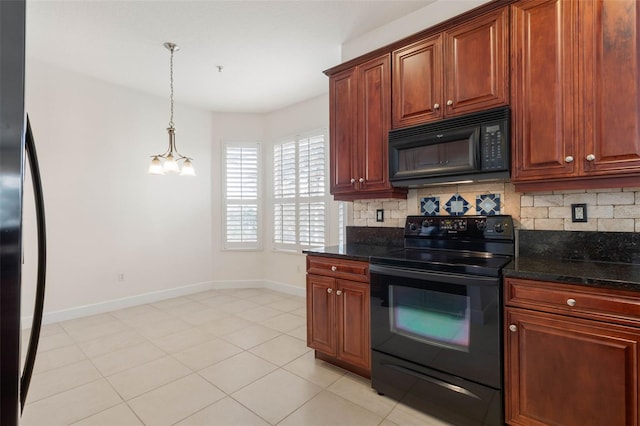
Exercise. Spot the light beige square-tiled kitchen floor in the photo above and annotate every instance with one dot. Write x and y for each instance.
(221, 357)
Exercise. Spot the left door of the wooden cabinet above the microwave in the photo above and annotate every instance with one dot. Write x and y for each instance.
(417, 83)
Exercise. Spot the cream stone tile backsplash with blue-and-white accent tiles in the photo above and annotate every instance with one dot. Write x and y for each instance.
(608, 210)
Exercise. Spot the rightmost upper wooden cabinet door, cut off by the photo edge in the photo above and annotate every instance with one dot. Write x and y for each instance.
(611, 43)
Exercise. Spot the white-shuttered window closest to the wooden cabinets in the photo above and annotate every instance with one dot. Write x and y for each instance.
(300, 196)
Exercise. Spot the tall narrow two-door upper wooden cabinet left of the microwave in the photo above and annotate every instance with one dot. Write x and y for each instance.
(359, 116)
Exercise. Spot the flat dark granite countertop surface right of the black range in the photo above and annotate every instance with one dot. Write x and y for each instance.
(621, 276)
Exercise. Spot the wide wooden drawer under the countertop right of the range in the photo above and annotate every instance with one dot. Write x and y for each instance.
(589, 302)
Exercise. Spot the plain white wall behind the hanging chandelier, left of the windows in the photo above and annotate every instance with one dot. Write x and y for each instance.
(105, 214)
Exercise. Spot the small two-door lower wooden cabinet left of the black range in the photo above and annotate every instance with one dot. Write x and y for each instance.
(338, 316)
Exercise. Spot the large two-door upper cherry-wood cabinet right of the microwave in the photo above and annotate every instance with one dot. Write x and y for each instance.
(575, 94)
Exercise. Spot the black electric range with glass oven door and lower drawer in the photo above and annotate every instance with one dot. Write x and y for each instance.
(436, 317)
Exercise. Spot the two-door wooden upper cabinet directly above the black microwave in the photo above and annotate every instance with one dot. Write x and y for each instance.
(455, 72)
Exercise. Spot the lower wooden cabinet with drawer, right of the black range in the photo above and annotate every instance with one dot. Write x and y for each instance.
(571, 359)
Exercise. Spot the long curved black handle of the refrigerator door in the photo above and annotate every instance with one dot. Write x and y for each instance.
(42, 266)
